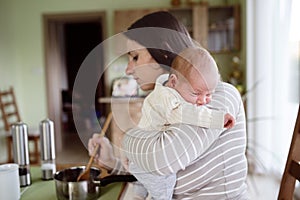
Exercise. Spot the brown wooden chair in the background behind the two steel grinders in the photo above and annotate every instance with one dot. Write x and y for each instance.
(10, 114)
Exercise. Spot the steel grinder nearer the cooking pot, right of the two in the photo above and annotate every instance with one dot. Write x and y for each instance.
(47, 149)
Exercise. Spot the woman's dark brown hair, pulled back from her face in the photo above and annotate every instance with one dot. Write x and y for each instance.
(162, 34)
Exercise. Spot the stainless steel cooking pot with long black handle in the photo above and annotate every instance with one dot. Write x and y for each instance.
(67, 186)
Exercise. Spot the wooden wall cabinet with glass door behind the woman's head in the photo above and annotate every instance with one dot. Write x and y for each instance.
(216, 28)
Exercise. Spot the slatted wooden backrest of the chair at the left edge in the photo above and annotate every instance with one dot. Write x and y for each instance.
(9, 109)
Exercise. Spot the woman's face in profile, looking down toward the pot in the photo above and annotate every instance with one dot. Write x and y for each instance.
(142, 66)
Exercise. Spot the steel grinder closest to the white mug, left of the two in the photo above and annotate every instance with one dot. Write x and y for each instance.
(21, 152)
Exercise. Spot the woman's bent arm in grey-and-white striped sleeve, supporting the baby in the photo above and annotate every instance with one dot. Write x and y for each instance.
(165, 152)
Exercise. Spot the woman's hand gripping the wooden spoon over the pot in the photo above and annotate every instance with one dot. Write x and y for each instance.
(105, 157)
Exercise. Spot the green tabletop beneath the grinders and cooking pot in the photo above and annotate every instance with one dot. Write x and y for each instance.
(45, 190)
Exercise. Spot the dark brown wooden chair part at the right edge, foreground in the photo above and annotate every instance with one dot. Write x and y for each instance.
(292, 168)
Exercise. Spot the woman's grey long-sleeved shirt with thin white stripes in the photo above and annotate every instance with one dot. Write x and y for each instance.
(210, 163)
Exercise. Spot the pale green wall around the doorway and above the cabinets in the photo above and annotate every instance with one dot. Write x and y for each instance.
(22, 62)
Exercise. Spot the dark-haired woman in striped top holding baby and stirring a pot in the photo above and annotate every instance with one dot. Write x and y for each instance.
(210, 163)
